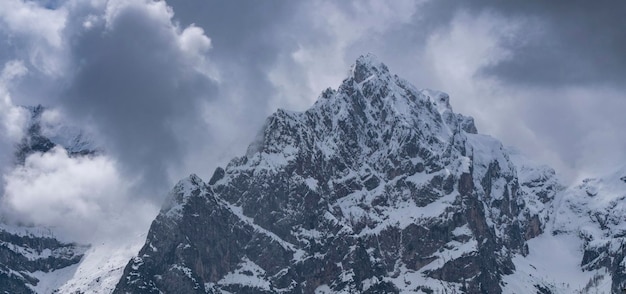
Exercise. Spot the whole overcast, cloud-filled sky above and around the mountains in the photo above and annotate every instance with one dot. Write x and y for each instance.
(179, 87)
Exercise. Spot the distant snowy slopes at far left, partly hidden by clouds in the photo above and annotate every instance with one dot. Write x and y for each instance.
(33, 259)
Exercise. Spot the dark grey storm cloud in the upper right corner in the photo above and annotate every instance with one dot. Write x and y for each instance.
(560, 43)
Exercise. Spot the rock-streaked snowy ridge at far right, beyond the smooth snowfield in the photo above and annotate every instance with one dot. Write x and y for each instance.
(595, 212)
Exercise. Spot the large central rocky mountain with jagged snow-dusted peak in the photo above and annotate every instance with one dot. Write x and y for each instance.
(379, 187)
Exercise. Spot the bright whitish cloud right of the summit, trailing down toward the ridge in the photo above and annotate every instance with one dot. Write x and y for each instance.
(455, 56)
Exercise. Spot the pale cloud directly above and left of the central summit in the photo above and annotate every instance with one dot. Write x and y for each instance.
(323, 55)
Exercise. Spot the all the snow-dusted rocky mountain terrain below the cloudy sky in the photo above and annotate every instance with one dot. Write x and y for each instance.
(379, 187)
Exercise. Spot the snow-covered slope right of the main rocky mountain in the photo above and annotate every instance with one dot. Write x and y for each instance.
(582, 248)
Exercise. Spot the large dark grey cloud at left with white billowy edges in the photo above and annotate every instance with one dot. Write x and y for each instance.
(137, 86)
